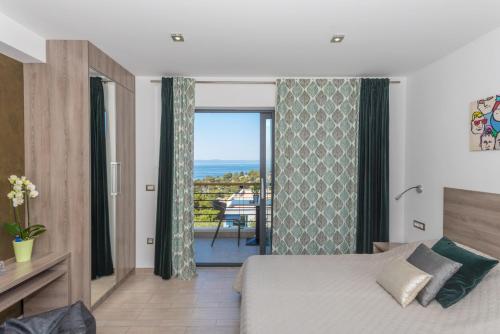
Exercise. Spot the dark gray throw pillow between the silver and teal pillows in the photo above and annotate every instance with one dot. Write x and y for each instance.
(441, 268)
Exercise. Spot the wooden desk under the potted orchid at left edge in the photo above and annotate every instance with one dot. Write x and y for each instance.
(42, 283)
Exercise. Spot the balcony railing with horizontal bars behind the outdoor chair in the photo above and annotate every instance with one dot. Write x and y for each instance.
(241, 201)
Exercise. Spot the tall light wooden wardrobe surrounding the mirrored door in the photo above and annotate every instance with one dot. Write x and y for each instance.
(57, 146)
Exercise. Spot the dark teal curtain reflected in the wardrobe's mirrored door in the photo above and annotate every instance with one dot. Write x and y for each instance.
(101, 260)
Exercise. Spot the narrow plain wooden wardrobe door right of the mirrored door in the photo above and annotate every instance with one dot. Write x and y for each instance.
(125, 205)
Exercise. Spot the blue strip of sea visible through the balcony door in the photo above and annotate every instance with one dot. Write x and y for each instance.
(204, 168)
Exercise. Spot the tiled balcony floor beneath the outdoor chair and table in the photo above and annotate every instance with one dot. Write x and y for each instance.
(225, 250)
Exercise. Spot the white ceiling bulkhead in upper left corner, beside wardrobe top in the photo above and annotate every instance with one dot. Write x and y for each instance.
(20, 43)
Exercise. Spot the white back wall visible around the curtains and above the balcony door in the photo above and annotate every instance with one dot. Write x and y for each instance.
(236, 96)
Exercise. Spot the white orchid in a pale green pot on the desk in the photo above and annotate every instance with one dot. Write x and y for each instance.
(22, 191)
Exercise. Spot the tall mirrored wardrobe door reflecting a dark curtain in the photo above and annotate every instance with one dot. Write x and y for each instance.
(104, 190)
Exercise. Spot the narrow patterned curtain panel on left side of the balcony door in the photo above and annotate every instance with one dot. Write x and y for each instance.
(183, 264)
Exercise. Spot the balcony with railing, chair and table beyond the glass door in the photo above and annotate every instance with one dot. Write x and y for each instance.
(228, 204)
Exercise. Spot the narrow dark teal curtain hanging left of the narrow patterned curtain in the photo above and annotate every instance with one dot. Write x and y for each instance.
(164, 206)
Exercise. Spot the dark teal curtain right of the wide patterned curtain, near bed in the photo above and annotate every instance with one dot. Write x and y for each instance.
(373, 164)
